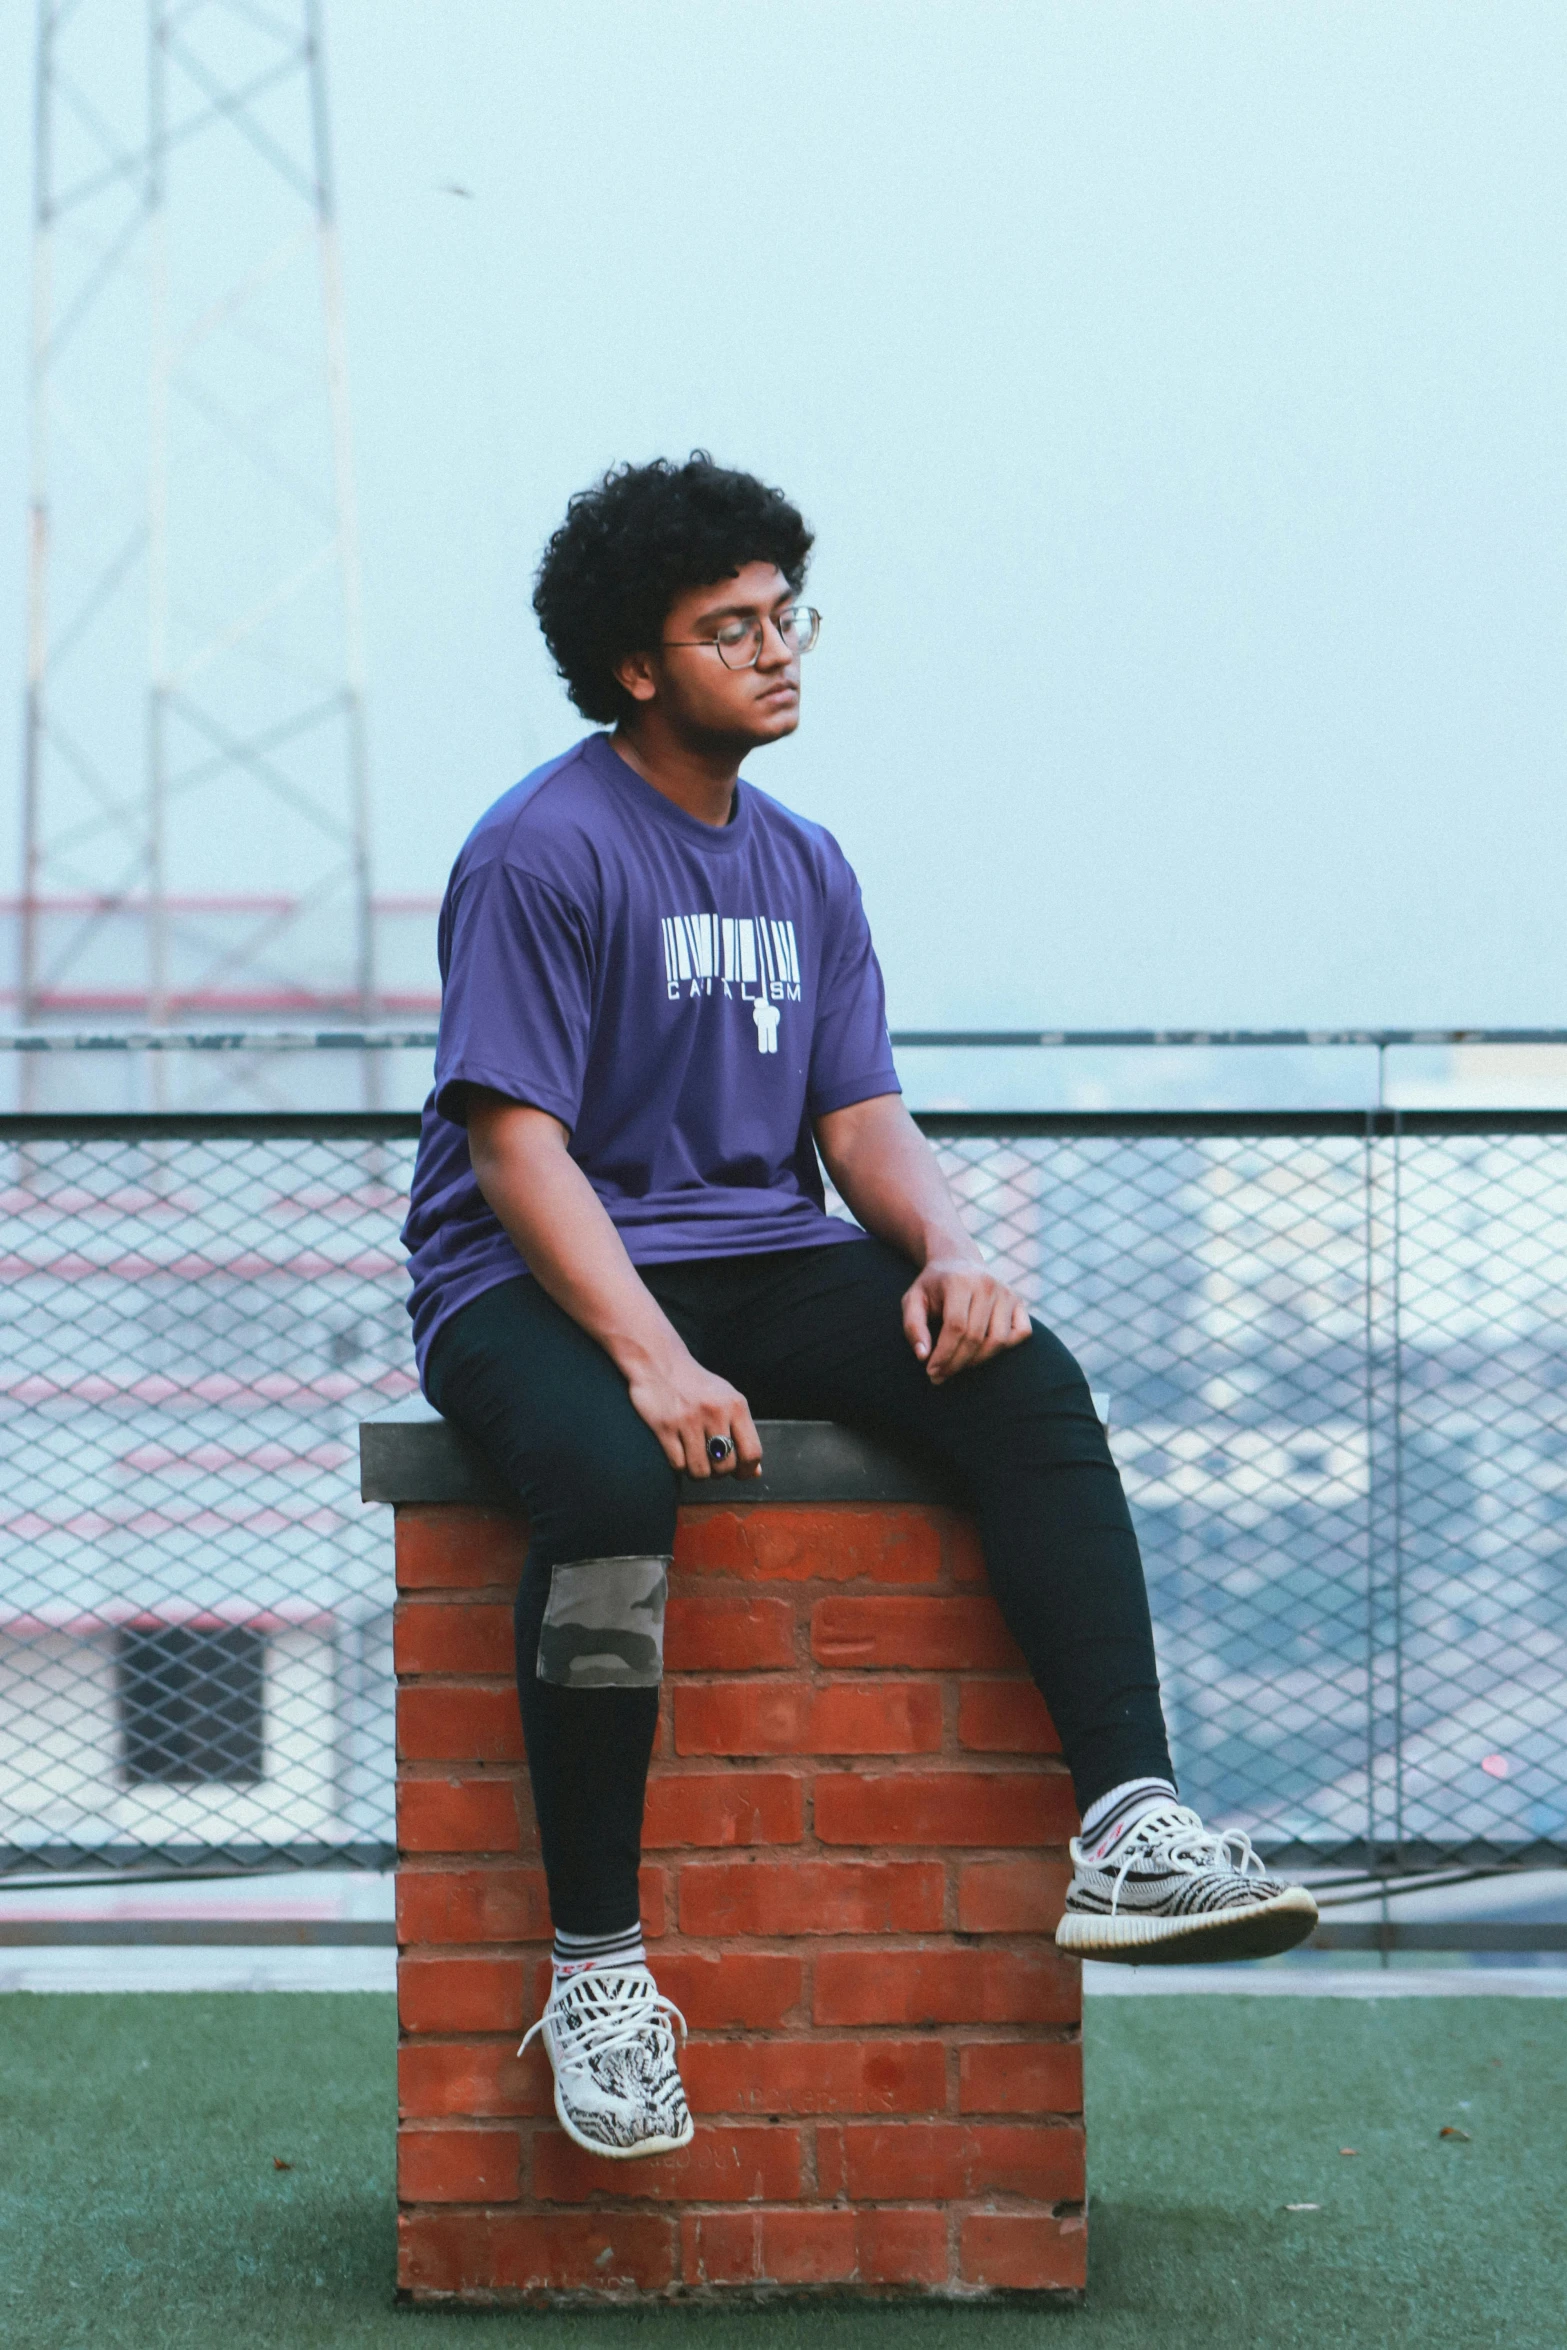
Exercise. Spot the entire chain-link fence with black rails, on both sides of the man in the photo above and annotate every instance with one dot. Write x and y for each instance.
(1331, 1350)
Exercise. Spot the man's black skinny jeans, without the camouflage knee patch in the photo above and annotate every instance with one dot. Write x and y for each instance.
(812, 1334)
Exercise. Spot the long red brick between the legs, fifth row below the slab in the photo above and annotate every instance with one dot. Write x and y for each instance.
(812, 1898)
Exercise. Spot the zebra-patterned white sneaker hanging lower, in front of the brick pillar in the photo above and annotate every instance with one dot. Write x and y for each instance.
(612, 2048)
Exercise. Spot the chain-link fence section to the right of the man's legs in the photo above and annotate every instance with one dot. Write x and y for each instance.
(1338, 1390)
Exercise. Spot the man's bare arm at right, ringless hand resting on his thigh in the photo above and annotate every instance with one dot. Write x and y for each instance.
(889, 1179)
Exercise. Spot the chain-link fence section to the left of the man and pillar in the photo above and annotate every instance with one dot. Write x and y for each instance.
(196, 1613)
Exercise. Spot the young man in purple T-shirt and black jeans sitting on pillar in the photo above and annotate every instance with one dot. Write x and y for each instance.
(659, 1007)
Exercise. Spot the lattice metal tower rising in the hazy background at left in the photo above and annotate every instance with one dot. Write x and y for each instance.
(194, 779)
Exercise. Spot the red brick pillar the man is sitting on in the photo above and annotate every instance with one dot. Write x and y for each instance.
(854, 1865)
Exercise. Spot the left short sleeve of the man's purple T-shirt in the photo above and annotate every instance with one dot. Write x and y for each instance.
(516, 995)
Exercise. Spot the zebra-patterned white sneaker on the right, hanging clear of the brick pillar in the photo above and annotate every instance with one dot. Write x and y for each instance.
(1176, 1893)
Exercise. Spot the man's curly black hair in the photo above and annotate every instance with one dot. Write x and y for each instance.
(633, 544)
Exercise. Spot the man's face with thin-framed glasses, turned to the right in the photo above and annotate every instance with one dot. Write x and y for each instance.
(690, 680)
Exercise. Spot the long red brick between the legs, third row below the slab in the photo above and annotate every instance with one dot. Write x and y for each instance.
(798, 1719)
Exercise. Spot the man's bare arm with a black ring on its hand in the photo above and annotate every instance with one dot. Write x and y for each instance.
(574, 1251)
